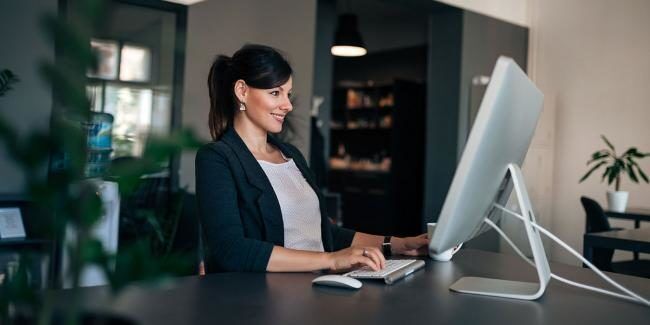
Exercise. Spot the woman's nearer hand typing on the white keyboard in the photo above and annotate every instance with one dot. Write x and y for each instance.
(356, 256)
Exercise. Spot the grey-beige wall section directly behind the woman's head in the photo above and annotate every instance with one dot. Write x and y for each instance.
(222, 27)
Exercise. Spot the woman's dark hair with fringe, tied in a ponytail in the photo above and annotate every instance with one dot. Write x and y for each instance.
(260, 66)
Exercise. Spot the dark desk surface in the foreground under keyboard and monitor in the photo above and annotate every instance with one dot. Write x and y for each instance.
(422, 298)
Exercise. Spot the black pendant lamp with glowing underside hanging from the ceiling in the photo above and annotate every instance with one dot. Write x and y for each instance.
(348, 40)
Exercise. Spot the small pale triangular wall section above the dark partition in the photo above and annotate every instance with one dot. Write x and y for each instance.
(514, 11)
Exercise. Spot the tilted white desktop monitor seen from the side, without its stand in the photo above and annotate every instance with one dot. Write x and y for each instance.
(500, 136)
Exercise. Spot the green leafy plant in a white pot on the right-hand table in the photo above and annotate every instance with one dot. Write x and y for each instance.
(615, 166)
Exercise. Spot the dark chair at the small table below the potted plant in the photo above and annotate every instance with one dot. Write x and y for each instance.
(596, 221)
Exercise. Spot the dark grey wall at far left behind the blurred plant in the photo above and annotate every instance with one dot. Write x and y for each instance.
(28, 106)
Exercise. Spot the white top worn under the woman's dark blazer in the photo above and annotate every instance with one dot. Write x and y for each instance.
(299, 206)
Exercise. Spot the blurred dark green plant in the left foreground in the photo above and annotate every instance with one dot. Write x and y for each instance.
(65, 199)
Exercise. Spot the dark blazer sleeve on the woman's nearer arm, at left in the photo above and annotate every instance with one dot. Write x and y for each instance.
(226, 247)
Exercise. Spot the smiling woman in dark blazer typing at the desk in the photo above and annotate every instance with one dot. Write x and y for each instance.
(259, 207)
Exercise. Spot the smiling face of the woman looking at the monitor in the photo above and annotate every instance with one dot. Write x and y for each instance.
(265, 108)
